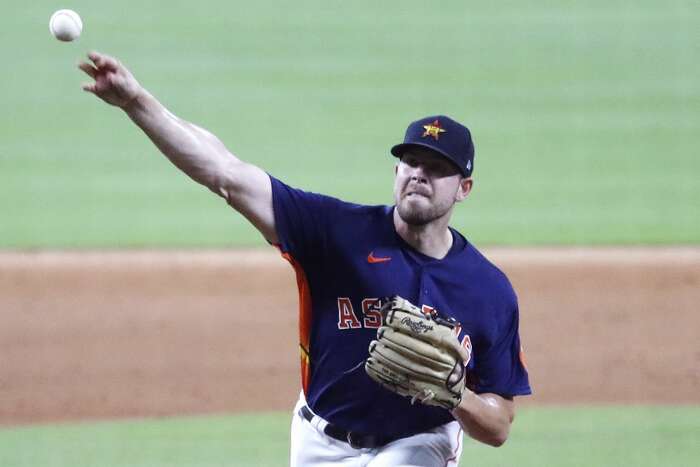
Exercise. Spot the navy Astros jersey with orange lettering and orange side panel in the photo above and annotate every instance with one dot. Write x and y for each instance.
(348, 257)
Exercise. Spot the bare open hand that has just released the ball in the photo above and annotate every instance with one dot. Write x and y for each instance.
(113, 84)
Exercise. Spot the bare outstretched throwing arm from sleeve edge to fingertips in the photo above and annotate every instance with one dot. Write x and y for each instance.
(194, 150)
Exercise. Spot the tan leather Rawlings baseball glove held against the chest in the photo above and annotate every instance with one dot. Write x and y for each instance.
(418, 355)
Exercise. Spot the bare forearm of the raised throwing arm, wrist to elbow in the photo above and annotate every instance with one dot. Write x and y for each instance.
(195, 151)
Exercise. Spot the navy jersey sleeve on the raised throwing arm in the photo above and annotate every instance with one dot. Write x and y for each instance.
(301, 220)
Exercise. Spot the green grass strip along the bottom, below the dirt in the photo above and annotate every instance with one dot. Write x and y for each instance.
(561, 437)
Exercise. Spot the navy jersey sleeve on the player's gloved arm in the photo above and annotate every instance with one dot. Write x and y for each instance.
(501, 368)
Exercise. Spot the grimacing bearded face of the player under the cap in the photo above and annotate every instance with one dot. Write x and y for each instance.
(426, 186)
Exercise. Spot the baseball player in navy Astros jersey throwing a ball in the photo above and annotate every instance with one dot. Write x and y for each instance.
(408, 335)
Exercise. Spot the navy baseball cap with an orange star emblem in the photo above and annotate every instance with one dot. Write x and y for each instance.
(444, 136)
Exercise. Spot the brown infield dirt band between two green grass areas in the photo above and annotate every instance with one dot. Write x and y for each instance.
(129, 334)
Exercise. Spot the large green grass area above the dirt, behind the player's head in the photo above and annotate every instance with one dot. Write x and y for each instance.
(586, 115)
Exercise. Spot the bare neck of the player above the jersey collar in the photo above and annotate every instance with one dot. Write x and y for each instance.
(433, 239)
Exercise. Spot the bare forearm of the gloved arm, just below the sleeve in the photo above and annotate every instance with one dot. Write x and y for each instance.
(485, 417)
